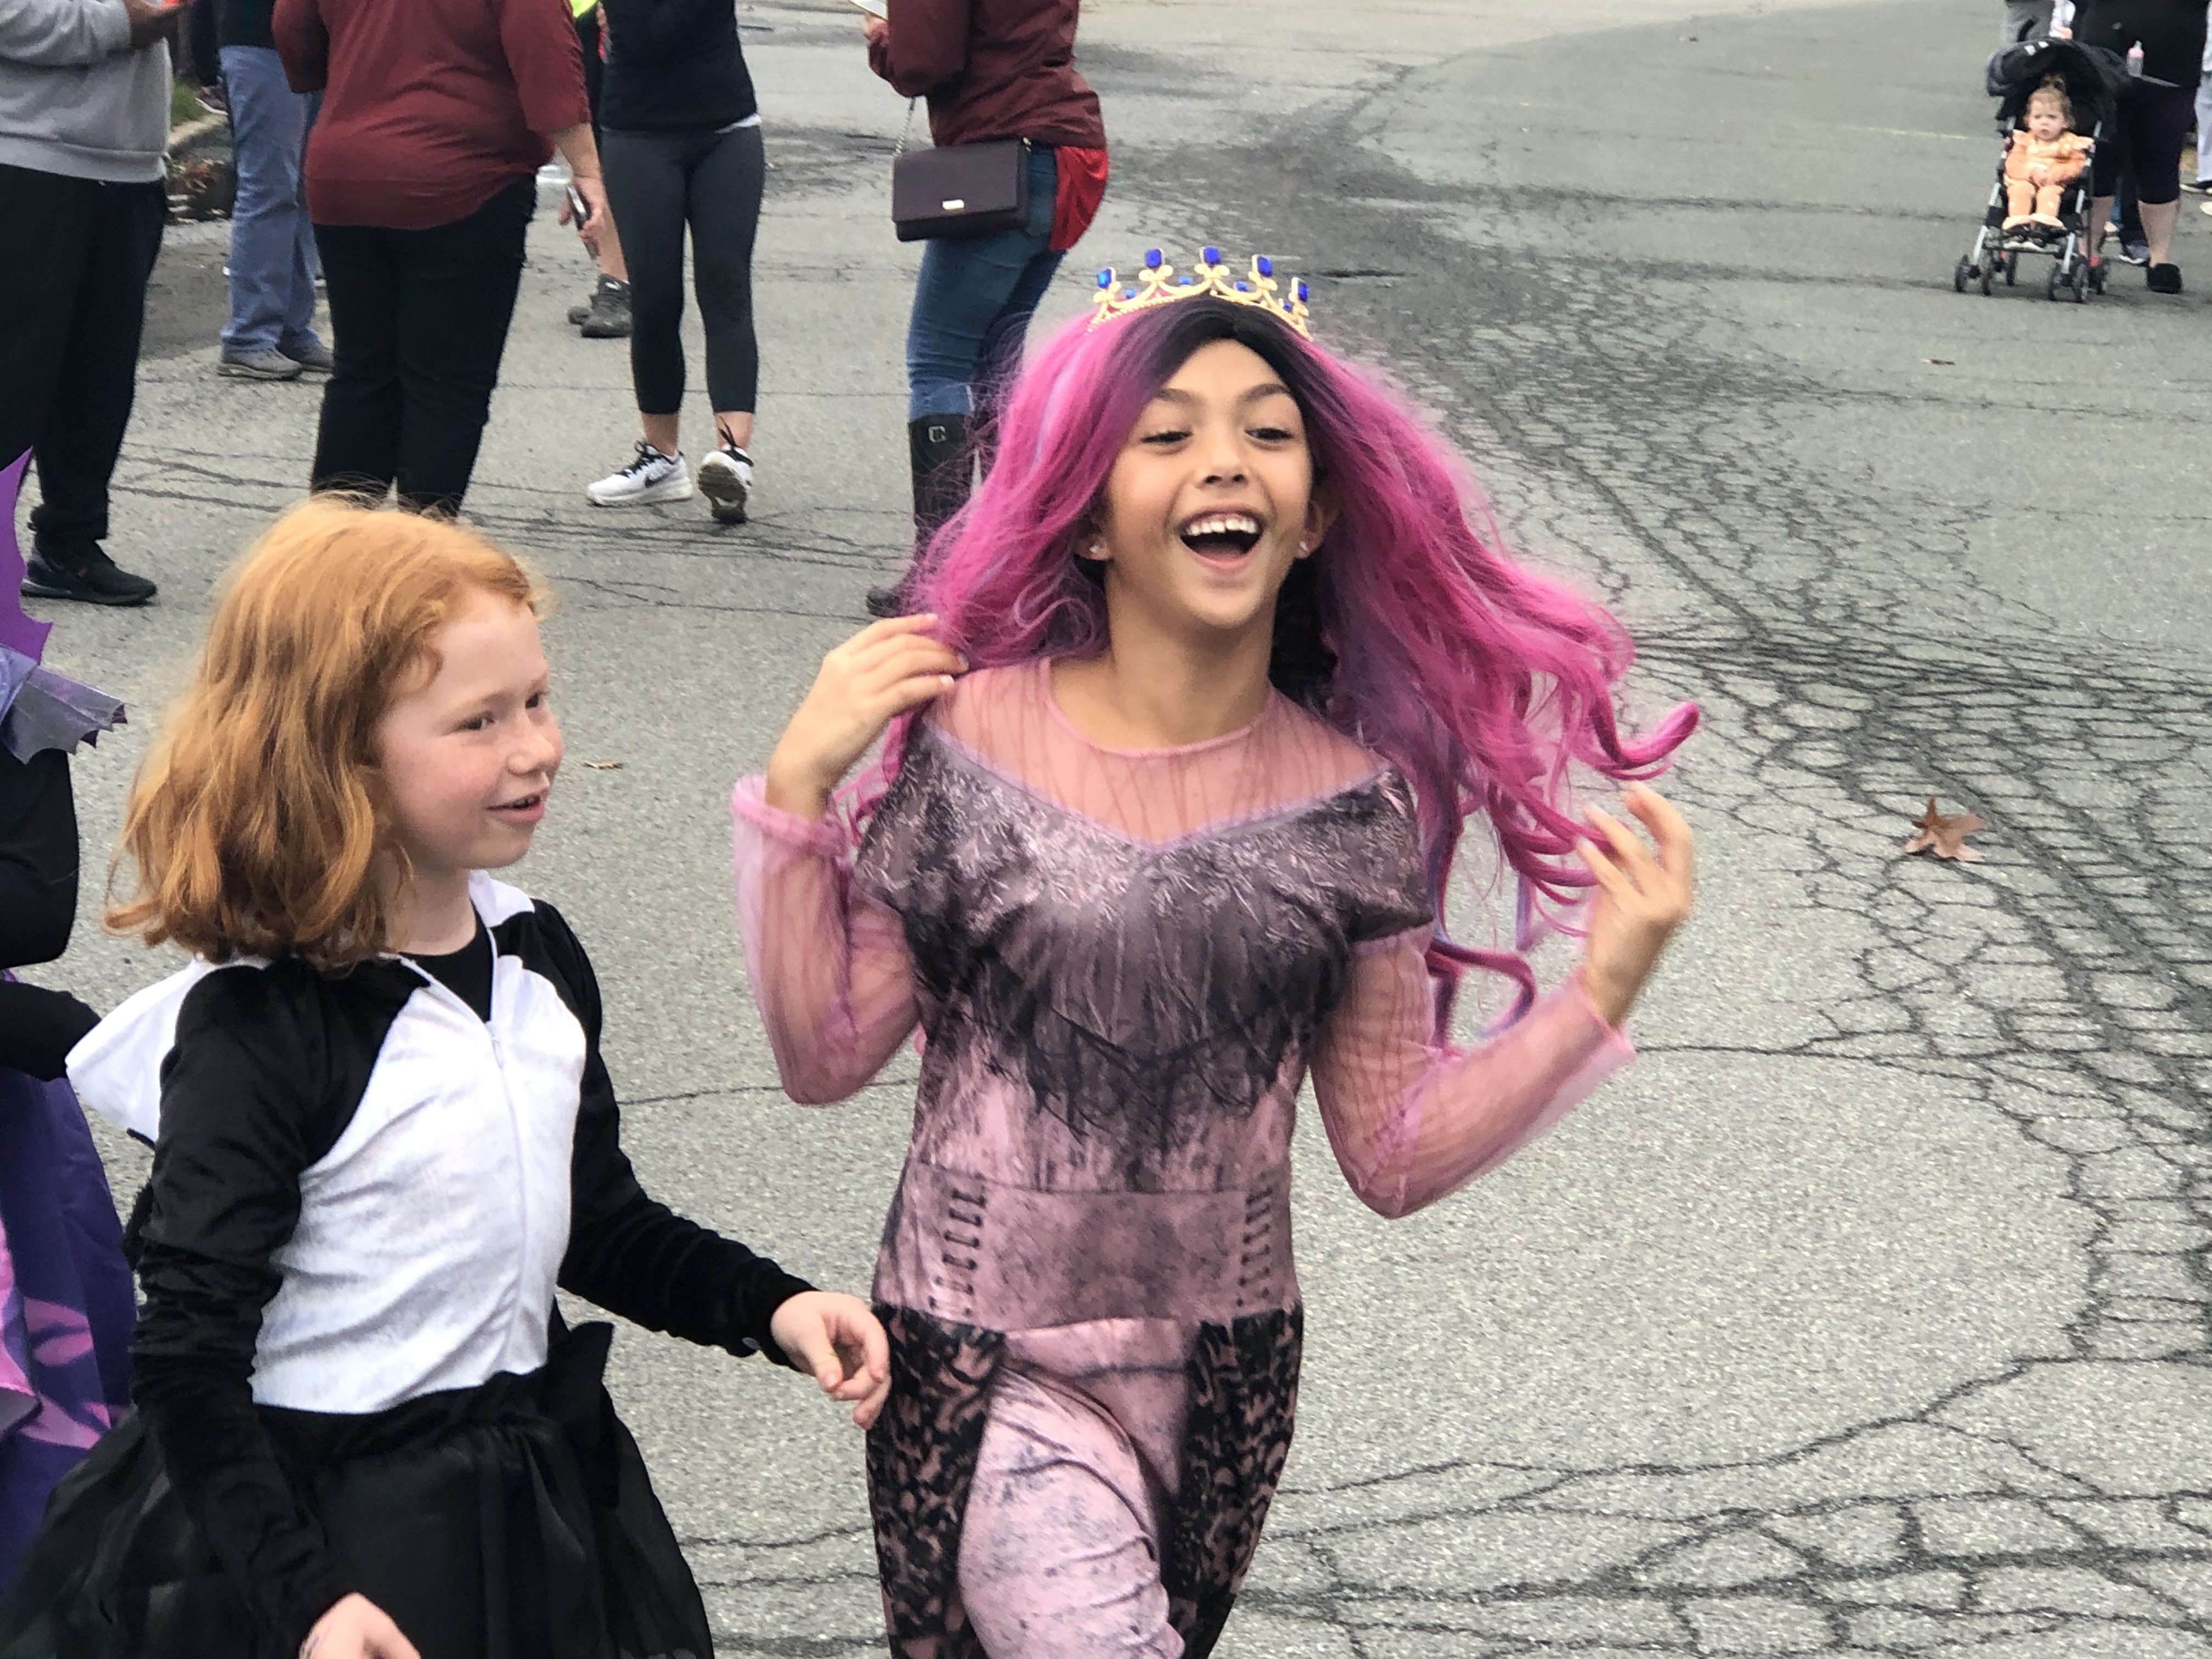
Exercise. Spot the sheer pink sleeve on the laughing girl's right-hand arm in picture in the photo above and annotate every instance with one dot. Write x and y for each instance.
(1410, 1120)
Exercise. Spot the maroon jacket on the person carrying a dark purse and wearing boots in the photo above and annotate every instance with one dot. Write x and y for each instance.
(992, 70)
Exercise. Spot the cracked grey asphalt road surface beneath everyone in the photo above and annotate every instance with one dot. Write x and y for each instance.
(1870, 1311)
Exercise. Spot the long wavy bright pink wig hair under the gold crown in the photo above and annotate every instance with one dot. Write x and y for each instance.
(1408, 629)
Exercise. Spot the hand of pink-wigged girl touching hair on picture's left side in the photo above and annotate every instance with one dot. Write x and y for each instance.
(877, 676)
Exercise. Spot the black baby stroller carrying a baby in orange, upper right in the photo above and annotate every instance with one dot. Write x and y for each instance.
(2094, 81)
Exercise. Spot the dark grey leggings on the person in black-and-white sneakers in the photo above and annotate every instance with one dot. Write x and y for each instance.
(656, 182)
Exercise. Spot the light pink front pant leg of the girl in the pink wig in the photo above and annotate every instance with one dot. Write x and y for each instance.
(1061, 1541)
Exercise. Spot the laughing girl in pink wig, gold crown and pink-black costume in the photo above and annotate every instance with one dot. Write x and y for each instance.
(1209, 682)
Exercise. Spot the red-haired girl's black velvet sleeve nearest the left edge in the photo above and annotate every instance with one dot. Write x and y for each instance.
(244, 1112)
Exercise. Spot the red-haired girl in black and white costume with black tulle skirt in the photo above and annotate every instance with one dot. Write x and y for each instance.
(382, 1138)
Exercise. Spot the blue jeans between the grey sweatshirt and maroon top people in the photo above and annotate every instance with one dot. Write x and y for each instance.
(271, 240)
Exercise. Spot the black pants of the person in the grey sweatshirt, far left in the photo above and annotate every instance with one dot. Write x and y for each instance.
(74, 313)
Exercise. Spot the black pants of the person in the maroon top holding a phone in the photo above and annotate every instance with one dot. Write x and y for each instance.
(421, 326)
